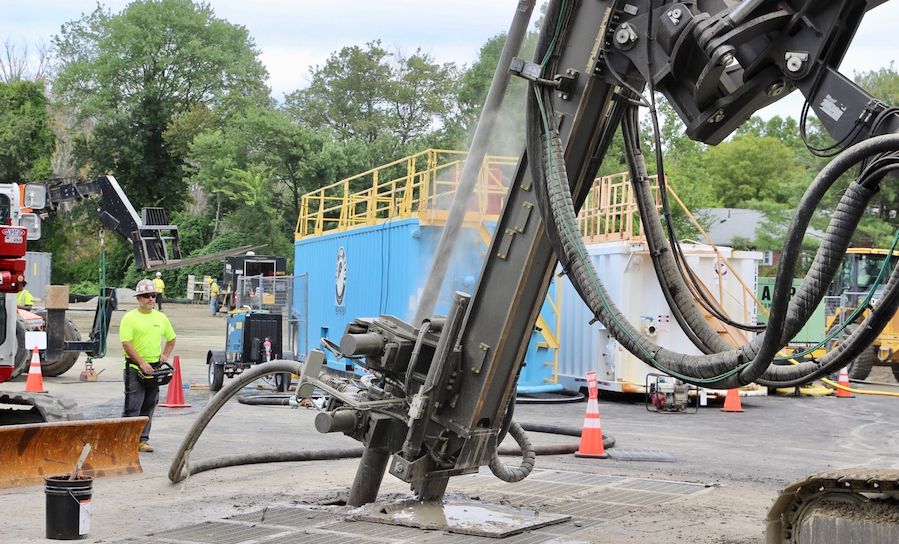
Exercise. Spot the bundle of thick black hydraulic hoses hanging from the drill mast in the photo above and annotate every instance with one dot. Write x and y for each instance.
(725, 367)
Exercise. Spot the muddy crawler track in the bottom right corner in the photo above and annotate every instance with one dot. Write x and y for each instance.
(859, 505)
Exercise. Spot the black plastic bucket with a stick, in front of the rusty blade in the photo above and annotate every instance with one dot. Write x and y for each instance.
(68, 507)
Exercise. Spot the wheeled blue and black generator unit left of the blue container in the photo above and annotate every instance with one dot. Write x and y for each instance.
(252, 337)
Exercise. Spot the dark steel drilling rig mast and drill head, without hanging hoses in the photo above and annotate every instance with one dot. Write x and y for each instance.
(443, 387)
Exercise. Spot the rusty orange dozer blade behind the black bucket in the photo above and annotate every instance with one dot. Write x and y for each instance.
(34, 451)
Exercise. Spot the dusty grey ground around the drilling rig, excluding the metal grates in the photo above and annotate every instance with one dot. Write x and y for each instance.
(744, 458)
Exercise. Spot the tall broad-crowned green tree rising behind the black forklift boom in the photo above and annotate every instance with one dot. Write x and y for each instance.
(128, 75)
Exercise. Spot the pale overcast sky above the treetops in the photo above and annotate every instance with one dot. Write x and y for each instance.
(293, 35)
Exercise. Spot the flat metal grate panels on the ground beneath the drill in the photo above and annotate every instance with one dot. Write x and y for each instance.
(590, 499)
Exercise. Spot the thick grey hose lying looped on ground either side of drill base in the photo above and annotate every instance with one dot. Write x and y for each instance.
(180, 469)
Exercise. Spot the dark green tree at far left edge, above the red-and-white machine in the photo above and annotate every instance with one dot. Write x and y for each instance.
(26, 132)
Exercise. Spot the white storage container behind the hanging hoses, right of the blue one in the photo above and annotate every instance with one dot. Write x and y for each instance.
(626, 270)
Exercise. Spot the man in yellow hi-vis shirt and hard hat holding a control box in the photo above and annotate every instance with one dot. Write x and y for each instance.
(142, 332)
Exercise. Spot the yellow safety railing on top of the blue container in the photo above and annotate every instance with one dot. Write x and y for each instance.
(422, 185)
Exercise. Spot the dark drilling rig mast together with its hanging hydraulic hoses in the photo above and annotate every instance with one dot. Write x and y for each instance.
(446, 384)
